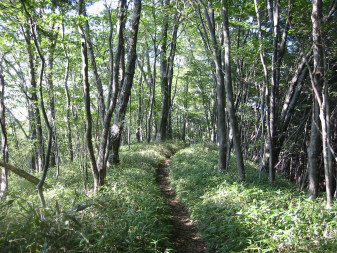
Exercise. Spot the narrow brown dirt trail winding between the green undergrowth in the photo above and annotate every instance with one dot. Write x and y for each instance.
(184, 239)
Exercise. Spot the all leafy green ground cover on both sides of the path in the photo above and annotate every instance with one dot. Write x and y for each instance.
(129, 214)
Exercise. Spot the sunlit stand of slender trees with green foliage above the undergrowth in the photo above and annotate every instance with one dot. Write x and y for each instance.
(255, 77)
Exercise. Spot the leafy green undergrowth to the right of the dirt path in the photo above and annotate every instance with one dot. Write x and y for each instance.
(252, 216)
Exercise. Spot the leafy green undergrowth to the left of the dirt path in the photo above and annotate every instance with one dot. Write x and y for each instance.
(128, 214)
